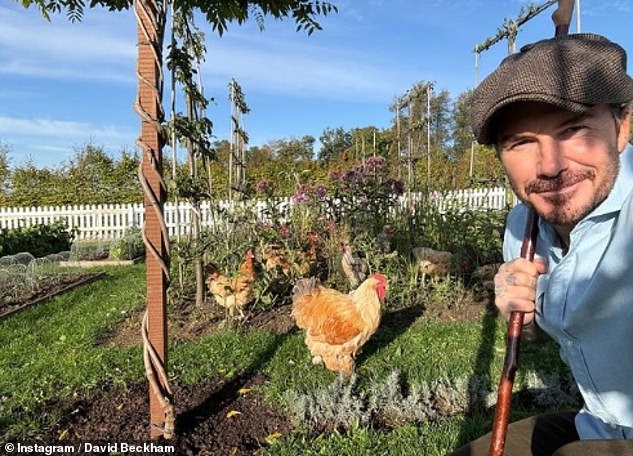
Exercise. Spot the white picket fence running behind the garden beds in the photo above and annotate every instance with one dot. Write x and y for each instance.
(110, 221)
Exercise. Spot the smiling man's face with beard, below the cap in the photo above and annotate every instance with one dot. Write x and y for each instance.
(562, 164)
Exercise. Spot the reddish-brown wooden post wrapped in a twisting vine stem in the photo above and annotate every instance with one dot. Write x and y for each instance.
(150, 16)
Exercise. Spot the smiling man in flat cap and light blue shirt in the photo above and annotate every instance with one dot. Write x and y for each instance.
(558, 114)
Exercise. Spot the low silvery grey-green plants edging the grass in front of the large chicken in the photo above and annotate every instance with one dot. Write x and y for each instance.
(343, 405)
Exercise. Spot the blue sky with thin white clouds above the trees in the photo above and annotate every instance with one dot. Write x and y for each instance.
(63, 84)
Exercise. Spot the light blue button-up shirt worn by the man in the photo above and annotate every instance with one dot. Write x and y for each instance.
(585, 302)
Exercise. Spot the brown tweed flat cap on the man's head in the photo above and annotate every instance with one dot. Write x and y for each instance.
(573, 72)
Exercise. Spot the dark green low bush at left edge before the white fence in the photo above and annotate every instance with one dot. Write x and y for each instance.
(38, 240)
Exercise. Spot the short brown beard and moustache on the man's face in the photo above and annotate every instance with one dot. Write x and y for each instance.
(563, 208)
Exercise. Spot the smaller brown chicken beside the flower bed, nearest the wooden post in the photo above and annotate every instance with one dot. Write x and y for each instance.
(232, 292)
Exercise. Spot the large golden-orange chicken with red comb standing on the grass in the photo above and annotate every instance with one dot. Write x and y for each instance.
(337, 324)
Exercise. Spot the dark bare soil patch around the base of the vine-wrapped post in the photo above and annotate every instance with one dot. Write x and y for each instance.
(206, 422)
